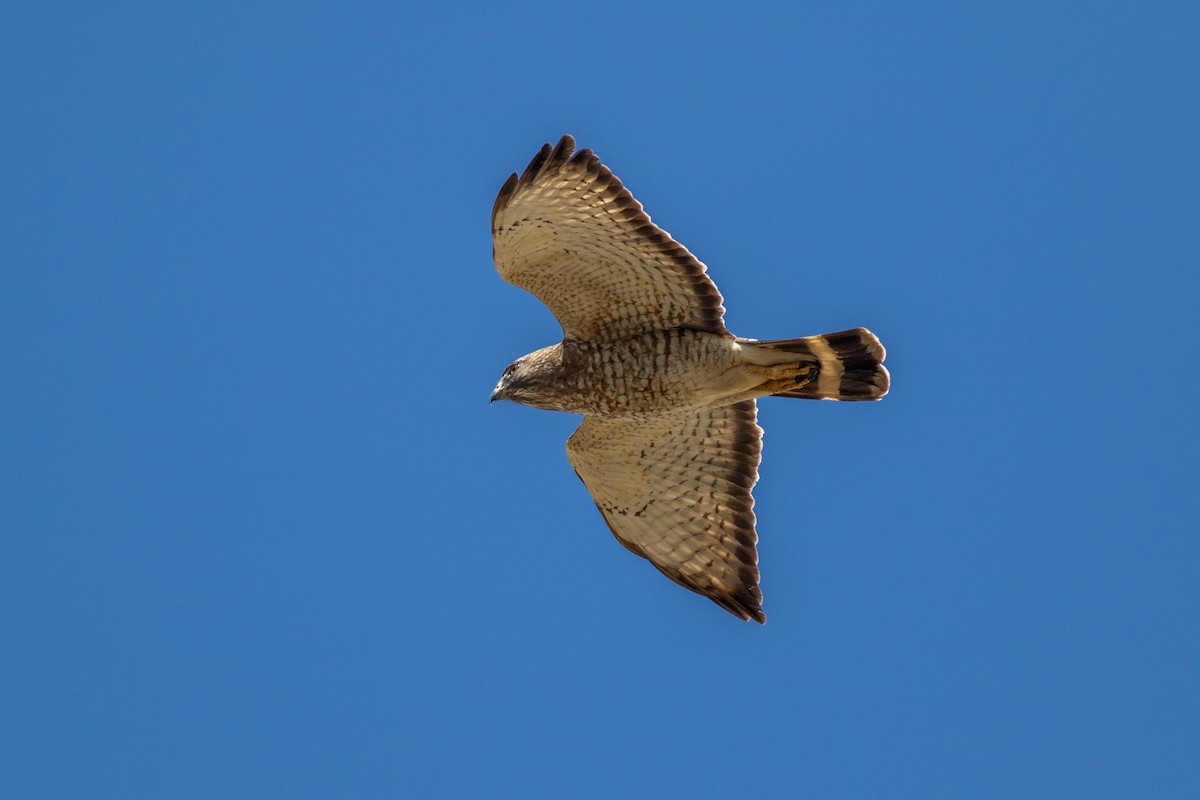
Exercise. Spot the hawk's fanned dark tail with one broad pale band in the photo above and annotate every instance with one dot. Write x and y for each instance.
(848, 365)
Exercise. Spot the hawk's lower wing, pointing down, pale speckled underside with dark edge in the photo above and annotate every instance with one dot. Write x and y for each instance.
(677, 491)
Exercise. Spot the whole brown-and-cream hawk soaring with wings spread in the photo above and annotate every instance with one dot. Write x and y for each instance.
(670, 443)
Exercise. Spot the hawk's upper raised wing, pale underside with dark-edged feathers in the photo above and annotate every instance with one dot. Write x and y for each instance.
(571, 234)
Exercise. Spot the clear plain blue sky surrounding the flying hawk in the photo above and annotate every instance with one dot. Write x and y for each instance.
(262, 536)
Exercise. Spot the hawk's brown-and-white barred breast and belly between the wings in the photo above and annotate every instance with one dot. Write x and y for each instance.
(656, 375)
